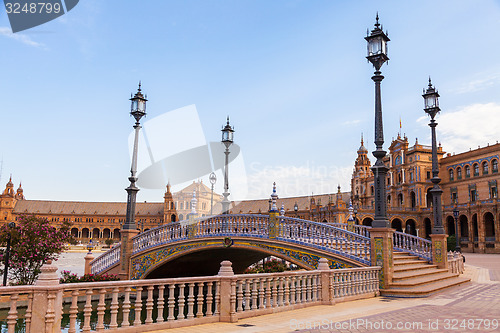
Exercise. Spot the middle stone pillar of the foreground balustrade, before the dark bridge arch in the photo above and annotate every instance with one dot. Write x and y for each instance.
(227, 293)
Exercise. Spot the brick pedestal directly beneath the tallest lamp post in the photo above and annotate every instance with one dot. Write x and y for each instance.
(381, 254)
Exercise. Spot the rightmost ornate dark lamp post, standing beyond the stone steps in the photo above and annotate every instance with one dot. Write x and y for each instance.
(431, 107)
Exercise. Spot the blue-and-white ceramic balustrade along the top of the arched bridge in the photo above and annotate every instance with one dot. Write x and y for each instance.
(327, 237)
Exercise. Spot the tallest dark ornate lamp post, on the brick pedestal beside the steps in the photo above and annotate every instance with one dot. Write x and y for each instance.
(377, 55)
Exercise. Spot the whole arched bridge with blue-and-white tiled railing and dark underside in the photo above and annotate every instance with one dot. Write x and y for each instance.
(197, 246)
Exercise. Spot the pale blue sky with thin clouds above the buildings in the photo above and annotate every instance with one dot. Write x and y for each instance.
(291, 75)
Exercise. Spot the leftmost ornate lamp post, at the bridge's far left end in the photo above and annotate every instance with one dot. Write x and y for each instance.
(138, 110)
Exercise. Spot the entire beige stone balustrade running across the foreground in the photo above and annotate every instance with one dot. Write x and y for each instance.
(147, 305)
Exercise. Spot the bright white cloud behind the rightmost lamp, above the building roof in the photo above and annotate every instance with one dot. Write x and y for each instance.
(468, 127)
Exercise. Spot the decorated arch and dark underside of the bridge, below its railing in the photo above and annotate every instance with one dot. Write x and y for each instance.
(189, 258)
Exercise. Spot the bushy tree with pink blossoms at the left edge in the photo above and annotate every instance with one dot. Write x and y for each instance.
(33, 242)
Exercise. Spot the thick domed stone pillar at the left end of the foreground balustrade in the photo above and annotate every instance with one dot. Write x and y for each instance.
(47, 302)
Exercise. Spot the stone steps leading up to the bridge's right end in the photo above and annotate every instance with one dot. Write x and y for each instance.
(415, 277)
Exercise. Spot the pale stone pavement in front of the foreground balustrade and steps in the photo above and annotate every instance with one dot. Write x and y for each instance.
(473, 307)
